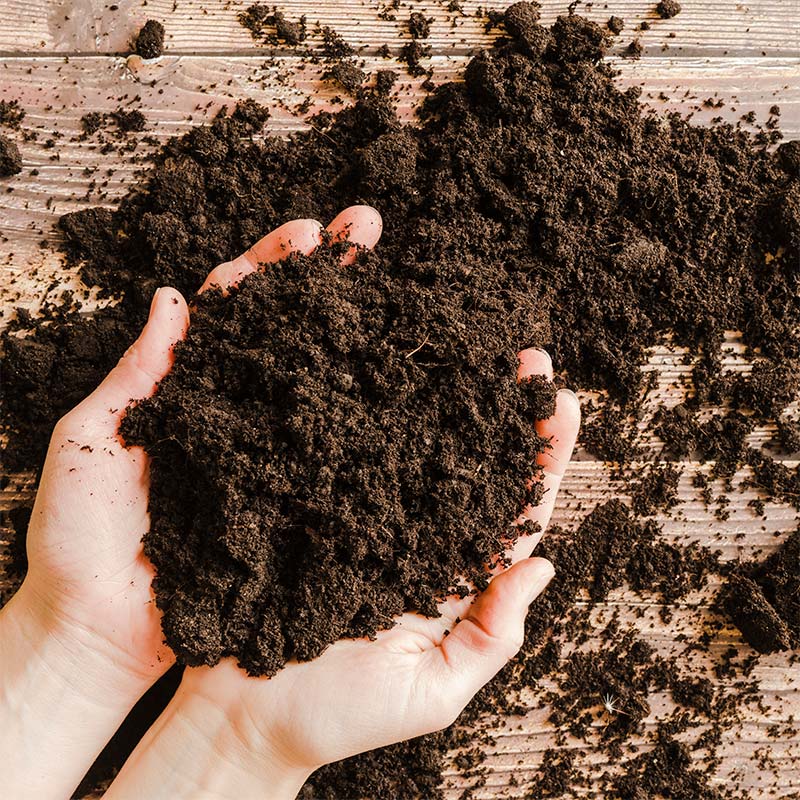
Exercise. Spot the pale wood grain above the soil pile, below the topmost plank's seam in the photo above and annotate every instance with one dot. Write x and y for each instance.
(178, 92)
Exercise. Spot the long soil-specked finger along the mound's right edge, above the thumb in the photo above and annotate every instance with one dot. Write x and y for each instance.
(562, 431)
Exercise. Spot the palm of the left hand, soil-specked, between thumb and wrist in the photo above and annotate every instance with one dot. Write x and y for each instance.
(85, 536)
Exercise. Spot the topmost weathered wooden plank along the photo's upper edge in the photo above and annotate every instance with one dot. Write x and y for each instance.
(193, 26)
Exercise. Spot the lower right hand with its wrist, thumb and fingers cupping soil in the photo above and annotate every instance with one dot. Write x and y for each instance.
(358, 695)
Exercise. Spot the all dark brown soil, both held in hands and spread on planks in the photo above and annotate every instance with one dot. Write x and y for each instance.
(540, 189)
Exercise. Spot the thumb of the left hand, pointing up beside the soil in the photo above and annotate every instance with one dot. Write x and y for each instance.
(144, 363)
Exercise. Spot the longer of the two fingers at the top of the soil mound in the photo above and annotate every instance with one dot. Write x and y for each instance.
(297, 236)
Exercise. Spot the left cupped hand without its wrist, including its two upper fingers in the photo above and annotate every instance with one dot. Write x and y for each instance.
(87, 568)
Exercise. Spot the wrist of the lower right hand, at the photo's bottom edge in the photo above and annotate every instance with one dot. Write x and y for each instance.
(203, 748)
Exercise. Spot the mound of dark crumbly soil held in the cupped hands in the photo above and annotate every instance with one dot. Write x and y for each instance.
(334, 446)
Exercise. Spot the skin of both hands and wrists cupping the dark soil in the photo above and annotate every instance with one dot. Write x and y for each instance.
(81, 640)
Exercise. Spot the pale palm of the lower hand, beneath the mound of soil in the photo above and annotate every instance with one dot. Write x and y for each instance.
(361, 694)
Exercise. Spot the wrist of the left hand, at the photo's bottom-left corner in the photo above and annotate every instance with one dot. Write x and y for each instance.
(57, 697)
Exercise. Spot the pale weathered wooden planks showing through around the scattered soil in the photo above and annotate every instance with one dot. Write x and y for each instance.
(64, 58)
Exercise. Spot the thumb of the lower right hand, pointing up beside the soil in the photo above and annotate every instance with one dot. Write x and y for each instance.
(491, 633)
